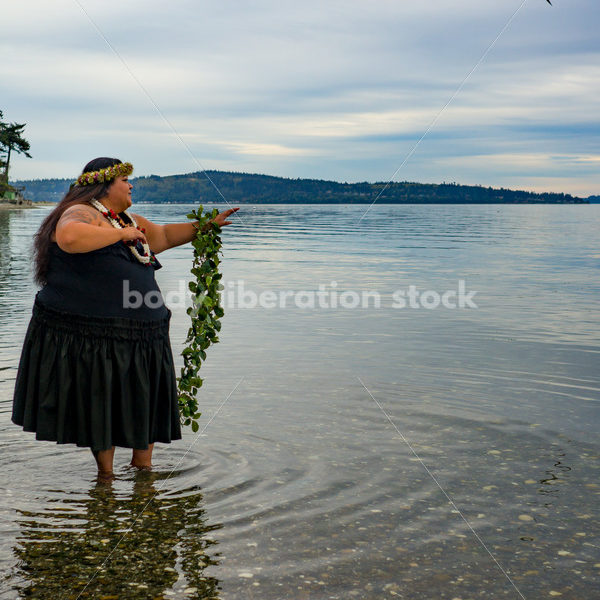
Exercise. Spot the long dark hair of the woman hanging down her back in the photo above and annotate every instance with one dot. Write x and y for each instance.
(76, 195)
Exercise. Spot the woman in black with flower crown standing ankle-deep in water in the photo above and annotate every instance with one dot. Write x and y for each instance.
(96, 369)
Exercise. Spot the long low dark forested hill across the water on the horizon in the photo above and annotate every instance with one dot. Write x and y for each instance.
(265, 189)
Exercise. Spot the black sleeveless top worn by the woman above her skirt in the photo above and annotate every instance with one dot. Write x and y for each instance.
(108, 282)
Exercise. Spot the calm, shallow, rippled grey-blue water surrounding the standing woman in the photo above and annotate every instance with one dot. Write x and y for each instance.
(339, 436)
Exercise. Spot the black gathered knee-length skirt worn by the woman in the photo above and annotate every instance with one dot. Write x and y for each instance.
(97, 382)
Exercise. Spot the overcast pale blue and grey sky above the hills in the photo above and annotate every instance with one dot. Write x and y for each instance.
(329, 89)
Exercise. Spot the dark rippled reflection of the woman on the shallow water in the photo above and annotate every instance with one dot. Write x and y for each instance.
(106, 545)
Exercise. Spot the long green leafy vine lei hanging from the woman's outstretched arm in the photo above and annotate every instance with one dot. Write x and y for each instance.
(205, 312)
